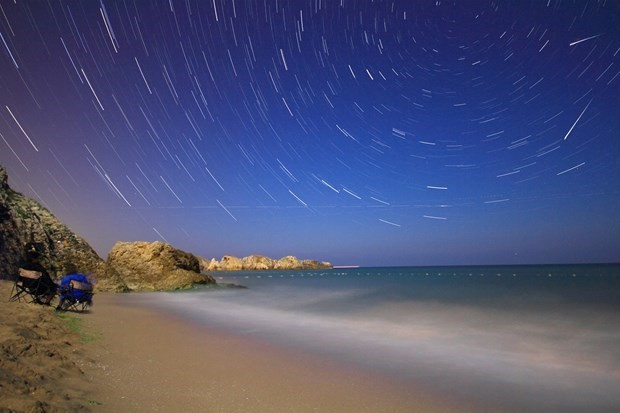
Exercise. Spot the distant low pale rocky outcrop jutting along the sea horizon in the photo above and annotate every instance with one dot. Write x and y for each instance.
(259, 262)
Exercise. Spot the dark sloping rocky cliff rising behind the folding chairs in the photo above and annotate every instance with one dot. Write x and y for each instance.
(25, 224)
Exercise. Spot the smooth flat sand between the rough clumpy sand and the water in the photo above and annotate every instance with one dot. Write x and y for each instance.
(151, 360)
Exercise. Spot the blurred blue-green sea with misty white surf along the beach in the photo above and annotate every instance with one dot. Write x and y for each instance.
(519, 338)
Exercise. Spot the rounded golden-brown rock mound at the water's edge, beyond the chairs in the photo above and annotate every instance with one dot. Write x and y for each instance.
(152, 266)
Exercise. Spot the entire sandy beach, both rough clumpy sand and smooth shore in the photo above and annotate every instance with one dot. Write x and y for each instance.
(130, 357)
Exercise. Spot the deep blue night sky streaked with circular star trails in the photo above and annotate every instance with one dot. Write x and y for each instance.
(359, 132)
